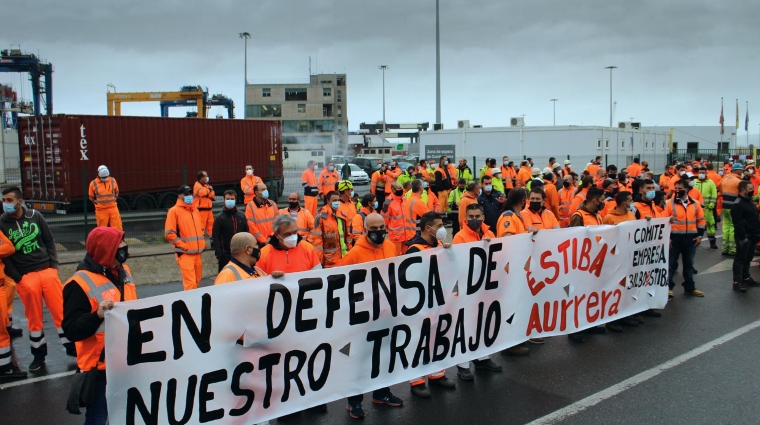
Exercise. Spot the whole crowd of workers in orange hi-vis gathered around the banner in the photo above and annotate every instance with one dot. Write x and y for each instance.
(402, 214)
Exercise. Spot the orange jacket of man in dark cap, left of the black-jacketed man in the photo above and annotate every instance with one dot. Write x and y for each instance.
(184, 230)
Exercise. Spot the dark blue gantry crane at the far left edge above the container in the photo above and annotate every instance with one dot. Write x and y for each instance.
(14, 60)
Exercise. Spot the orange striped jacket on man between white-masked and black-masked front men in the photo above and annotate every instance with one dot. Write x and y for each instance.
(331, 237)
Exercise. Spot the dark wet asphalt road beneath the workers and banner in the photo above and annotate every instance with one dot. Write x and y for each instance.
(695, 365)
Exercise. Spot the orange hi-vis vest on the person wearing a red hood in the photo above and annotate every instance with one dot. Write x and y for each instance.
(98, 288)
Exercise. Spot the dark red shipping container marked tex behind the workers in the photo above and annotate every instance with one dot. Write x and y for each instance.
(149, 157)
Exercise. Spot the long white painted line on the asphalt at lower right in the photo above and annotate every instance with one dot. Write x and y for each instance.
(594, 399)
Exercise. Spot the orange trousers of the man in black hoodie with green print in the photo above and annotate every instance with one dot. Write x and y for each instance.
(32, 289)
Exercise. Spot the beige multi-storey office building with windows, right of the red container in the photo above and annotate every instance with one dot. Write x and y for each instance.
(313, 113)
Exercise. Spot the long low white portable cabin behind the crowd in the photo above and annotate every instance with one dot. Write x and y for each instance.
(616, 146)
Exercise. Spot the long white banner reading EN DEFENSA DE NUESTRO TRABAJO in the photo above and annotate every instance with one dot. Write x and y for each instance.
(314, 337)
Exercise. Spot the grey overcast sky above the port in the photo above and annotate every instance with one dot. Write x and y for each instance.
(499, 59)
